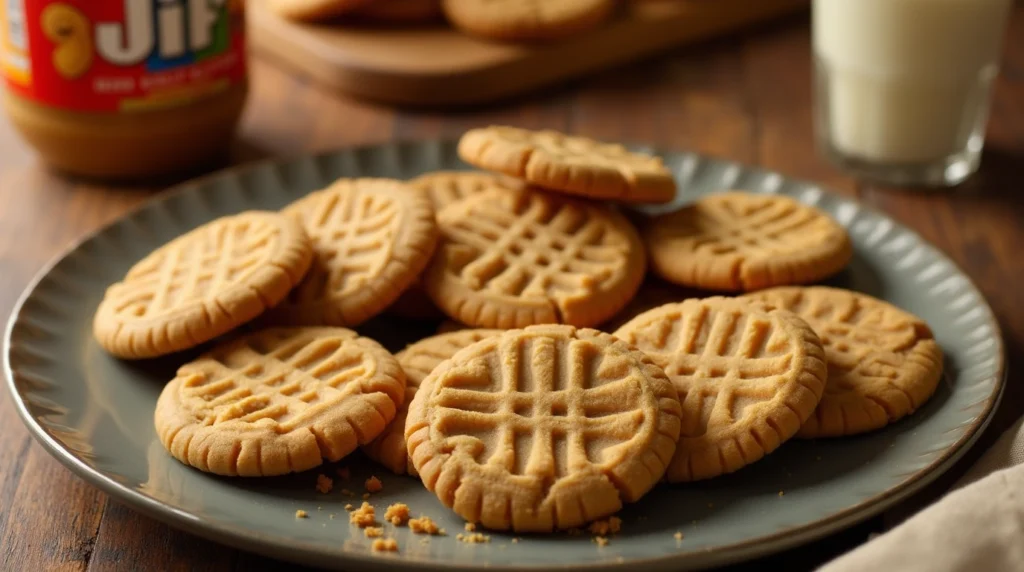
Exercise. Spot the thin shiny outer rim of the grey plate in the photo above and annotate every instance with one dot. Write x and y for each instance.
(245, 539)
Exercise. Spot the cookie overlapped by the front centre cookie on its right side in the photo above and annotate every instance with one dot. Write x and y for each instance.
(748, 377)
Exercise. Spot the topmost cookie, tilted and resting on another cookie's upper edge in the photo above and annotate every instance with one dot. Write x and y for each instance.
(570, 165)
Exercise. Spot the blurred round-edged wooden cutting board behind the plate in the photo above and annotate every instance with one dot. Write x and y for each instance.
(441, 67)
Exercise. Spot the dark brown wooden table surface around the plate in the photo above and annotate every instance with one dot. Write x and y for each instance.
(745, 98)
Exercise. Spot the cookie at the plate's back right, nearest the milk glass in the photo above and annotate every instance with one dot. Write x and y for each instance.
(742, 242)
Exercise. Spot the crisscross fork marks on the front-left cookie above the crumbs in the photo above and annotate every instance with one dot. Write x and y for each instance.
(280, 384)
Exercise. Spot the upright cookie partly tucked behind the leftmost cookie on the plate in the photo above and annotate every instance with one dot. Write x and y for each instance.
(372, 239)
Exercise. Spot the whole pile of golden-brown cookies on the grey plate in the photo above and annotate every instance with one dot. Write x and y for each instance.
(519, 416)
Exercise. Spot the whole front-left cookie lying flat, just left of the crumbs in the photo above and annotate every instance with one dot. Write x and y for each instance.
(280, 401)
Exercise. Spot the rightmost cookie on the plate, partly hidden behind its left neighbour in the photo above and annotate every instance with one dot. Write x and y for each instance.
(883, 363)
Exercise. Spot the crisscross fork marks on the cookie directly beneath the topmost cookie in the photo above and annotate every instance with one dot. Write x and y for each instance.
(535, 253)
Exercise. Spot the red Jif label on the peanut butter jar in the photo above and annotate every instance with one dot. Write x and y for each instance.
(121, 56)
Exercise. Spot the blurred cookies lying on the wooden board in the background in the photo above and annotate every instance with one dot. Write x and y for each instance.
(517, 21)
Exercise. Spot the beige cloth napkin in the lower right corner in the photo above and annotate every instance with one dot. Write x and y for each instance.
(977, 527)
